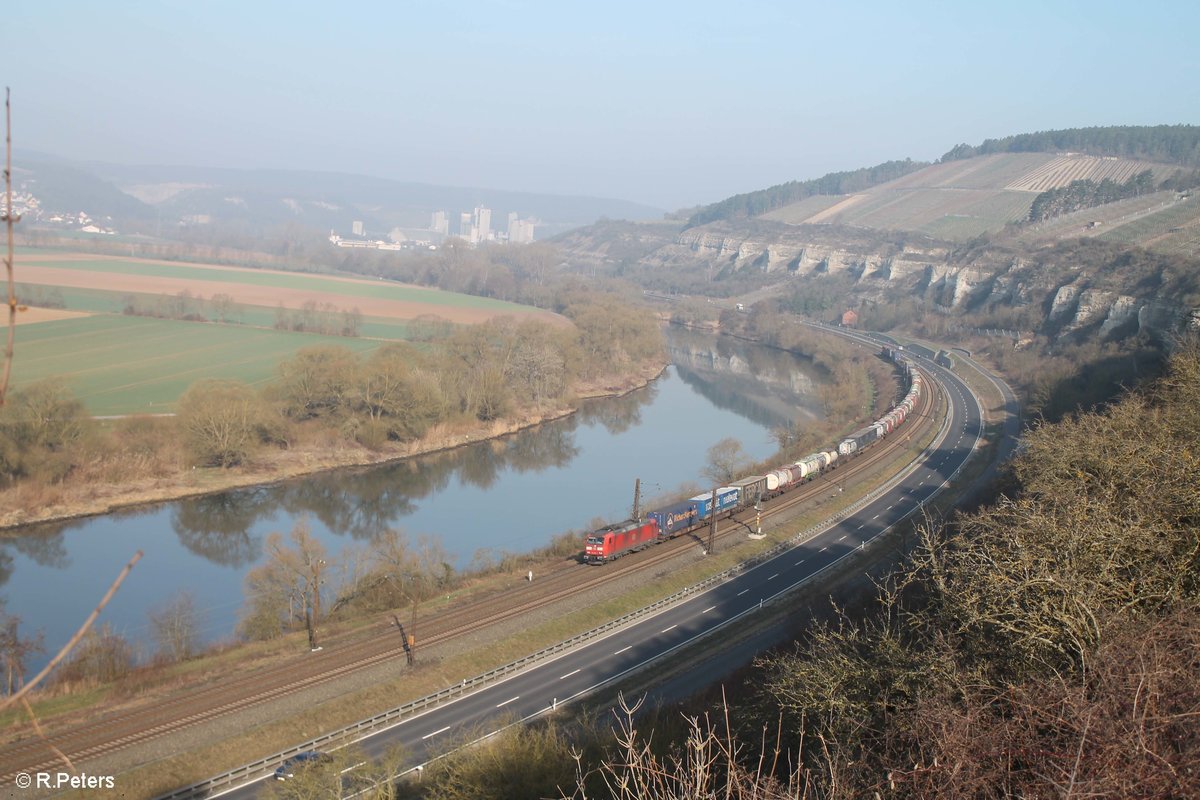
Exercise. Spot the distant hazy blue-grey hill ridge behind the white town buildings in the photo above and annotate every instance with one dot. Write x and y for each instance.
(159, 200)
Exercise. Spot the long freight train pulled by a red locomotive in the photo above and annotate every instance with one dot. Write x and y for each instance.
(614, 542)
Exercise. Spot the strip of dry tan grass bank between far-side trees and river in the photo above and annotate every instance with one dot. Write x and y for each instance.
(71, 502)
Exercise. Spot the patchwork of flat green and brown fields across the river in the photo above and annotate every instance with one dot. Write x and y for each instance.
(128, 365)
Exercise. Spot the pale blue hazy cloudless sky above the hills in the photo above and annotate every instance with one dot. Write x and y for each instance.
(668, 104)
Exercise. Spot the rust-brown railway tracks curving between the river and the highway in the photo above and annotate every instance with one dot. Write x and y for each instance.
(381, 643)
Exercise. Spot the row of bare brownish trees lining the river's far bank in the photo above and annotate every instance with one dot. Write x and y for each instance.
(395, 394)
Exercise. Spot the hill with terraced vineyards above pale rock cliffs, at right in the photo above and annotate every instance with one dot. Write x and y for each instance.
(1113, 254)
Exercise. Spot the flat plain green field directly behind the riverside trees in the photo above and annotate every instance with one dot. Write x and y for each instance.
(131, 365)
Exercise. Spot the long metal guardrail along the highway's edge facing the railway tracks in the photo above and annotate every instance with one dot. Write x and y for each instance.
(355, 732)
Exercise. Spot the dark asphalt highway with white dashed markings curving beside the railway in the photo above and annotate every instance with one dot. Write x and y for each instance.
(577, 673)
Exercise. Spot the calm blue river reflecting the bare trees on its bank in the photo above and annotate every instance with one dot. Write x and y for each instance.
(503, 497)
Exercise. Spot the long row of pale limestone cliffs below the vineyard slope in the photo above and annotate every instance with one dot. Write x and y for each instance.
(1064, 297)
